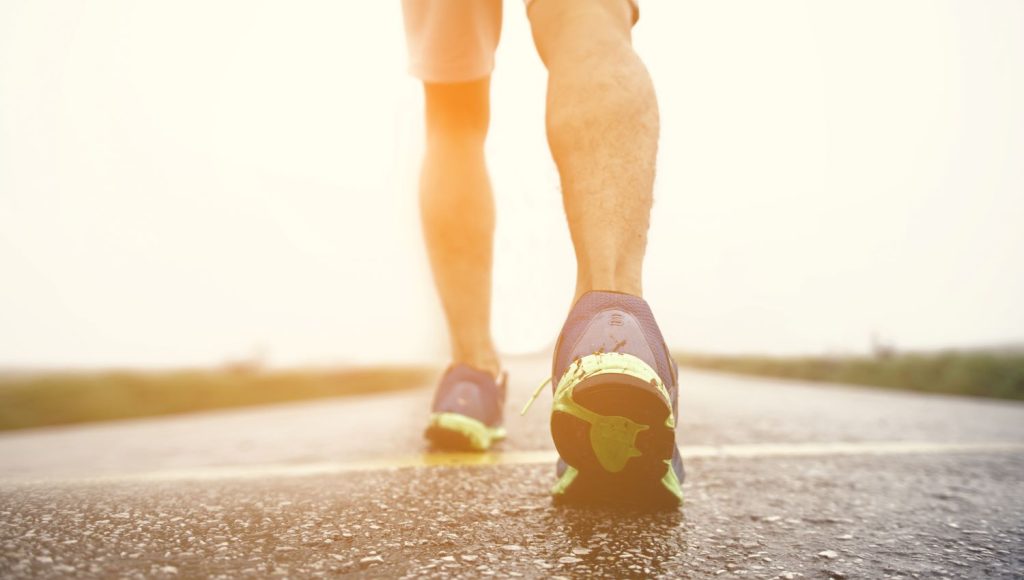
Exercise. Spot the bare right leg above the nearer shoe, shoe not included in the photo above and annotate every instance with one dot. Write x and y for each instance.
(603, 128)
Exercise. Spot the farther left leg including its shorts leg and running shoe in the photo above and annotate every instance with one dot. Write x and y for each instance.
(452, 48)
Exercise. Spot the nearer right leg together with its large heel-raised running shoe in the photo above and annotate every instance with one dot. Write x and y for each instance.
(616, 390)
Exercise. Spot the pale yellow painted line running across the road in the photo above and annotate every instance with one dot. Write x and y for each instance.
(522, 459)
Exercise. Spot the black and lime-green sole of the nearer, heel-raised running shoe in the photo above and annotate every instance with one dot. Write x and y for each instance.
(613, 424)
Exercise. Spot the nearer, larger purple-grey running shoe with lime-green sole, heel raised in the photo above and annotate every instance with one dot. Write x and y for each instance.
(616, 406)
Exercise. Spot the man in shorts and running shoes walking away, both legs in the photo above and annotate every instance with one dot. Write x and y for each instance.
(616, 391)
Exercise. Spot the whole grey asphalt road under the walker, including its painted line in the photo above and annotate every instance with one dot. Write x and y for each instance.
(785, 480)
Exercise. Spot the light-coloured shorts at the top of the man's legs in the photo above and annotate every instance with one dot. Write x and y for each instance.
(454, 42)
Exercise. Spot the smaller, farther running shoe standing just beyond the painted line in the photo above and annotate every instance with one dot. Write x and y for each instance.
(466, 415)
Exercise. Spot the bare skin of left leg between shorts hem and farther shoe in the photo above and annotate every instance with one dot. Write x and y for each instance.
(458, 215)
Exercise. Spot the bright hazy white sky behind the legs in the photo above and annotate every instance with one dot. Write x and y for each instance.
(187, 182)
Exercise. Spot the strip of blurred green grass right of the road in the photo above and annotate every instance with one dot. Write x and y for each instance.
(995, 375)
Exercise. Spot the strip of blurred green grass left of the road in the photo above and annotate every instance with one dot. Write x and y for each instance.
(62, 398)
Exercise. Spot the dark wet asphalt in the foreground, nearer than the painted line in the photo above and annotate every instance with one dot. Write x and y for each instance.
(946, 516)
